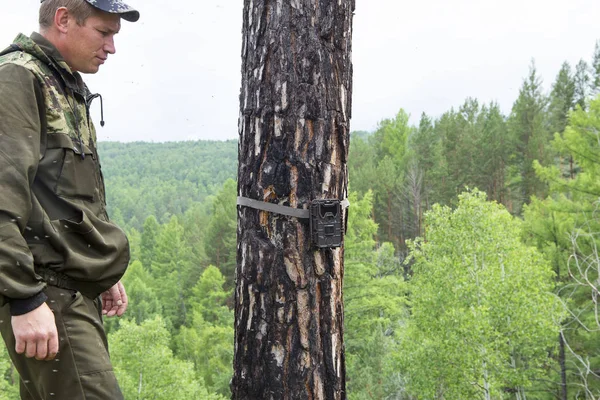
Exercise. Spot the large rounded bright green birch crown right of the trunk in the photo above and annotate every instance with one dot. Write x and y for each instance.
(482, 314)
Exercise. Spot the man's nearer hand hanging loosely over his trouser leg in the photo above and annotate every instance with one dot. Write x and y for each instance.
(36, 334)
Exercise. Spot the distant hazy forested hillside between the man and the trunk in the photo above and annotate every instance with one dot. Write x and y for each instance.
(163, 179)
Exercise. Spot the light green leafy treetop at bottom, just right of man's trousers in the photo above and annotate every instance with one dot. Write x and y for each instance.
(146, 368)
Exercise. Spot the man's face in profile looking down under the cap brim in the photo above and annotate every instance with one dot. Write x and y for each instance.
(90, 44)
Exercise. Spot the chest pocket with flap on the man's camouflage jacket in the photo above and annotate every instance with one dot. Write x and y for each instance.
(75, 165)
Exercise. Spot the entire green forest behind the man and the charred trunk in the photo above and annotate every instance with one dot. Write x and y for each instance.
(471, 254)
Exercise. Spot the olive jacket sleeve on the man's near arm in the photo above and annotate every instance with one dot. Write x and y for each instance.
(21, 108)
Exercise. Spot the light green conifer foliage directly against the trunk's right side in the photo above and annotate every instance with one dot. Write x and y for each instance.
(374, 295)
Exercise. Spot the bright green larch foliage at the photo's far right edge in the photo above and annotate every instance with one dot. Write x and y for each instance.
(563, 225)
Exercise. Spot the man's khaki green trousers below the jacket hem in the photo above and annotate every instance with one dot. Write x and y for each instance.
(82, 368)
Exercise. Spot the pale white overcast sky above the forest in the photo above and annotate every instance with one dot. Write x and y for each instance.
(176, 73)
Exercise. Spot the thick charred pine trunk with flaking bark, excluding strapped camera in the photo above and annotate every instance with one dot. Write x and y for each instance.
(294, 134)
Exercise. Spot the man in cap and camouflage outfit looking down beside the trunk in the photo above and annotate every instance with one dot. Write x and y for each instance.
(61, 259)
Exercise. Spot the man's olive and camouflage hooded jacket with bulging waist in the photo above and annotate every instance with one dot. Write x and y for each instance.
(53, 220)
